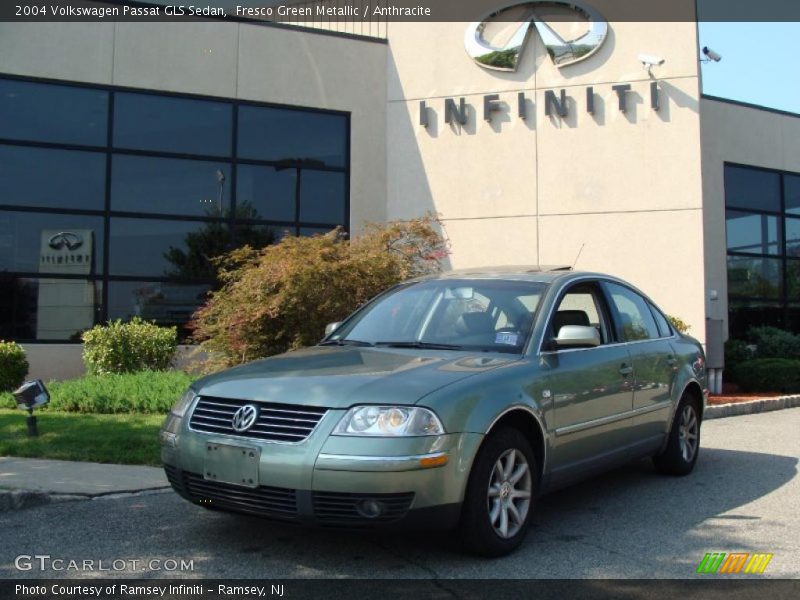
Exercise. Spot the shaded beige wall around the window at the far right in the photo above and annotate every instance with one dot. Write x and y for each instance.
(748, 136)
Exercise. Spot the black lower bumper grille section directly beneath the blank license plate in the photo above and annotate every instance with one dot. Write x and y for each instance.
(263, 500)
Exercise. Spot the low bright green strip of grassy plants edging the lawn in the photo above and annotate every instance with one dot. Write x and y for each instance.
(142, 392)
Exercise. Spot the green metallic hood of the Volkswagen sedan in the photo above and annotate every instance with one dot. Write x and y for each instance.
(339, 377)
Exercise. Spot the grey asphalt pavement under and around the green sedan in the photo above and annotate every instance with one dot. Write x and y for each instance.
(743, 497)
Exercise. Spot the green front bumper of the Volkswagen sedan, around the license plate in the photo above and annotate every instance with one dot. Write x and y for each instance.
(329, 480)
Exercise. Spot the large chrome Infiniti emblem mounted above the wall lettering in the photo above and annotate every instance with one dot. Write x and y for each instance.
(562, 52)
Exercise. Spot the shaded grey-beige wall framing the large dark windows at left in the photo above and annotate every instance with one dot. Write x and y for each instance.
(231, 60)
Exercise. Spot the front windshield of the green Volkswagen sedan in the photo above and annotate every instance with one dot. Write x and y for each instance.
(469, 314)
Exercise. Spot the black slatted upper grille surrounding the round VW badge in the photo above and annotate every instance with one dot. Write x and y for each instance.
(275, 422)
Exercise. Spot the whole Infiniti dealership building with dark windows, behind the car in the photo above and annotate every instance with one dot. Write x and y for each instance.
(132, 152)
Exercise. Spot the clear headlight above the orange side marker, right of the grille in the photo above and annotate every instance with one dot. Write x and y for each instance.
(389, 421)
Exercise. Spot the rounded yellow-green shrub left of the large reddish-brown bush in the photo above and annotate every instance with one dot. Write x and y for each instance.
(135, 345)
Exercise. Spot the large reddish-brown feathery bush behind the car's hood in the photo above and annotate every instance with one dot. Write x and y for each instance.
(281, 297)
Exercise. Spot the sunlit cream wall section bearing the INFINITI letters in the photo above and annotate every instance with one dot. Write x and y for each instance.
(625, 187)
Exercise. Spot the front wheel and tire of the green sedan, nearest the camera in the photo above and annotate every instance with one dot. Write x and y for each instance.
(494, 501)
